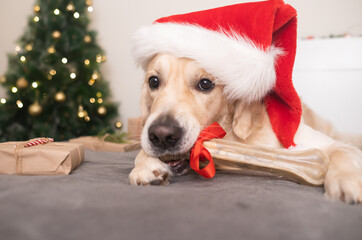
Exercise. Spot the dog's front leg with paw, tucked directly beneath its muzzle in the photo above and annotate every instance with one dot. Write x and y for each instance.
(149, 171)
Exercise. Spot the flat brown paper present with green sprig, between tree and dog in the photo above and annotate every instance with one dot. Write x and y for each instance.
(99, 144)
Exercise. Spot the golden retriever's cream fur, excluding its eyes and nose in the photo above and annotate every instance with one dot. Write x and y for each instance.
(178, 100)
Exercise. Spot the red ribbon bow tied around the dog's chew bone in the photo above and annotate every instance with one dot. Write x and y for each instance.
(200, 153)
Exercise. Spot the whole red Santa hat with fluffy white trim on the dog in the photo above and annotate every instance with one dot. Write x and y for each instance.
(250, 48)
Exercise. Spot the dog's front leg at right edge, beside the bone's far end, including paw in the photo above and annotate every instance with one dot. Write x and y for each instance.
(344, 176)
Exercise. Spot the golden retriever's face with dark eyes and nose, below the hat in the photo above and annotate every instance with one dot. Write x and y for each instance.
(179, 99)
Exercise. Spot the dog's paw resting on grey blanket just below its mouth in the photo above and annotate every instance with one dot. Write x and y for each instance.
(156, 173)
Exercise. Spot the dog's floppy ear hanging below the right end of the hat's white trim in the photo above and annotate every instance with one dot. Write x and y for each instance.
(242, 120)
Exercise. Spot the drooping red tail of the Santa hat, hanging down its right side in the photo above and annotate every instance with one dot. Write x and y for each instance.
(283, 104)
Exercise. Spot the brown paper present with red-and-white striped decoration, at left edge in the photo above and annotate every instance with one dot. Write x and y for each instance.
(47, 159)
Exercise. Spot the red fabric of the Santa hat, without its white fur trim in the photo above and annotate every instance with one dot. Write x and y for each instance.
(265, 23)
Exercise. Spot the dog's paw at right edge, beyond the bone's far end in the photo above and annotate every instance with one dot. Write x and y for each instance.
(346, 186)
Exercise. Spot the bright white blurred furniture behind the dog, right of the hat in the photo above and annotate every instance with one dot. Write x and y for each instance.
(328, 77)
